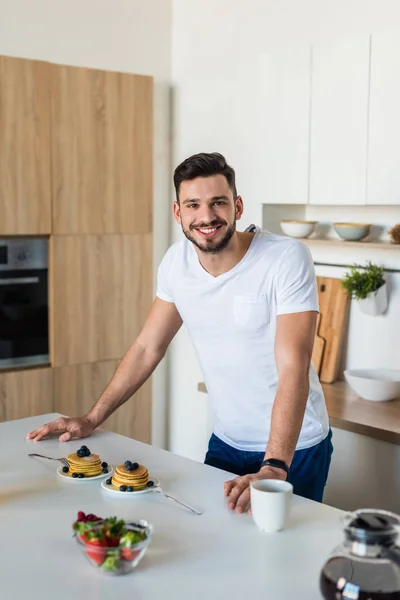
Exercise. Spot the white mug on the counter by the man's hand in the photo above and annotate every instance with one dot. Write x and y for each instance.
(270, 503)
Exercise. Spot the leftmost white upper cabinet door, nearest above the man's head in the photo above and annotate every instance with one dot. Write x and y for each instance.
(282, 134)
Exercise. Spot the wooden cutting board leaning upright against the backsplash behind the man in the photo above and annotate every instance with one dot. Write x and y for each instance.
(334, 304)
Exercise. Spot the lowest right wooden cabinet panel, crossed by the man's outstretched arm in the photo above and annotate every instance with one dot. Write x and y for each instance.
(77, 387)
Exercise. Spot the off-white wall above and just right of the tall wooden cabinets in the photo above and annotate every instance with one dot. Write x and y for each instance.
(122, 35)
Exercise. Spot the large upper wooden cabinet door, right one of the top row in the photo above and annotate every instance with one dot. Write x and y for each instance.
(102, 124)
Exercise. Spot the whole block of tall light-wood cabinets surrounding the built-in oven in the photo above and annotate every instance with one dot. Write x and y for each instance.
(76, 148)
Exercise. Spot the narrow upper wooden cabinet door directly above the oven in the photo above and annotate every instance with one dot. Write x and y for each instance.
(24, 147)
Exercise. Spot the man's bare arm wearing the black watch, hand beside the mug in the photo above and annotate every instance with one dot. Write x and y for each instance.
(294, 340)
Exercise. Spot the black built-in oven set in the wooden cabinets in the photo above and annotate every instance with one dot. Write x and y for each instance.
(24, 311)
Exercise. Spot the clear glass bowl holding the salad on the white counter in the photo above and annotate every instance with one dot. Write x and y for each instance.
(117, 560)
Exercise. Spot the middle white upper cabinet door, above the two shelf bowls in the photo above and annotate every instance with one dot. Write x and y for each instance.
(339, 122)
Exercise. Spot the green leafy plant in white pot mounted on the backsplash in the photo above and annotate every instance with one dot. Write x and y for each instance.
(368, 286)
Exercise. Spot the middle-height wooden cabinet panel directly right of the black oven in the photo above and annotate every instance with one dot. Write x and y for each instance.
(102, 291)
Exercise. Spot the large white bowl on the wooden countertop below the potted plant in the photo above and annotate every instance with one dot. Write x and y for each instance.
(377, 385)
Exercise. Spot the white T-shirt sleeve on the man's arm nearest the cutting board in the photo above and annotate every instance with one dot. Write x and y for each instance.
(296, 283)
